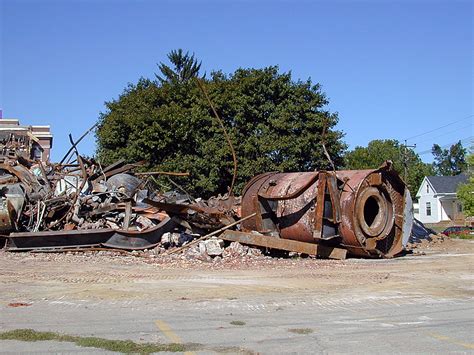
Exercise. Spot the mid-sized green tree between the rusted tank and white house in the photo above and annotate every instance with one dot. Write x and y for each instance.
(379, 150)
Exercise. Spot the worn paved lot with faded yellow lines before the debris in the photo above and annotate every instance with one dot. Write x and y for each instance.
(414, 304)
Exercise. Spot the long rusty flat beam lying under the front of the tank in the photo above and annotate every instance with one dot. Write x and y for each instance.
(261, 240)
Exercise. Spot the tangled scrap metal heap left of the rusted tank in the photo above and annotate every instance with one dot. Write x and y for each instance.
(84, 204)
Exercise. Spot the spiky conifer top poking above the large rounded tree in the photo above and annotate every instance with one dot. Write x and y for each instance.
(185, 67)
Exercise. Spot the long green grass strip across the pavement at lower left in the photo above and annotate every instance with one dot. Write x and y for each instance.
(123, 346)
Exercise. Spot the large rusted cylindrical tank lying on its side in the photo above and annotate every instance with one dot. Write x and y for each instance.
(368, 212)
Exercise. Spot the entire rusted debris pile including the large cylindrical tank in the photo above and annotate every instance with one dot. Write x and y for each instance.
(81, 204)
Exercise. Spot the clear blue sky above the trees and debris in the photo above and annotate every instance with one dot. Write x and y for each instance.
(392, 69)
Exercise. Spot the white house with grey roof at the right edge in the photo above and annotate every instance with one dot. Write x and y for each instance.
(437, 199)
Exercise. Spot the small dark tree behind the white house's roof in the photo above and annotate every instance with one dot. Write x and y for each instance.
(449, 162)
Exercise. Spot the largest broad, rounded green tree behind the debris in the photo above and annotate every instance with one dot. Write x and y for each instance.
(274, 122)
